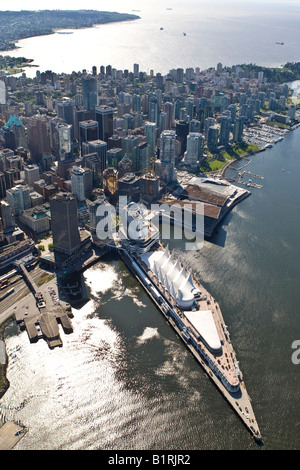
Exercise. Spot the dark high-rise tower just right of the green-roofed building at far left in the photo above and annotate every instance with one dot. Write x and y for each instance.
(38, 138)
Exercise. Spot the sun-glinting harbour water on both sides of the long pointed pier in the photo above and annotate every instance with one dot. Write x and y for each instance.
(124, 380)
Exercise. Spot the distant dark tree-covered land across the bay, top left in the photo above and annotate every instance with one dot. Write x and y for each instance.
(15, 25)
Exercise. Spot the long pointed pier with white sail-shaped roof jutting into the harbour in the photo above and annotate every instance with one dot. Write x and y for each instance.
(188, 307)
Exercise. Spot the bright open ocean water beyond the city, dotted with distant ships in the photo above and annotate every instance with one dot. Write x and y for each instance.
(228, 31)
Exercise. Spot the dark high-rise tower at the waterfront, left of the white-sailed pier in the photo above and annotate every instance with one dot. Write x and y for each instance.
(64, 224)
